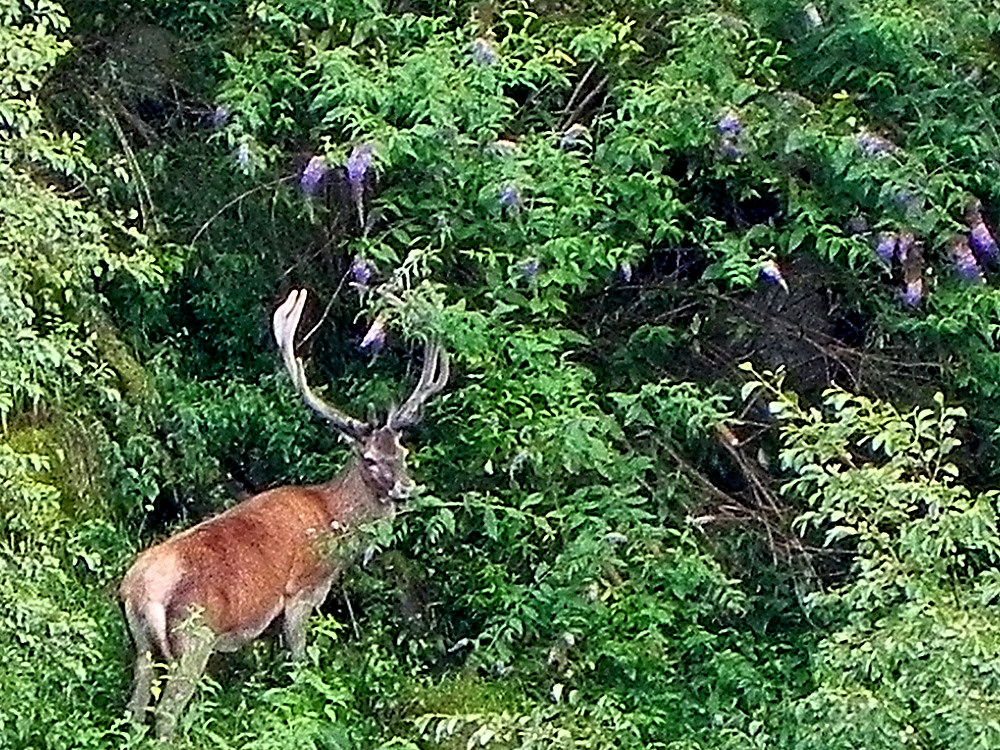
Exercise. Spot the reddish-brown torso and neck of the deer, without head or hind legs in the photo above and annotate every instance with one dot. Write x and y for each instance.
(239, 570)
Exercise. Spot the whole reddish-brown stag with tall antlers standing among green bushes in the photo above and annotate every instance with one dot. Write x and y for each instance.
(219, 584)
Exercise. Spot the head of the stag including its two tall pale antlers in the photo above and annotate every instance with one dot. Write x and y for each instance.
(380, 455)
